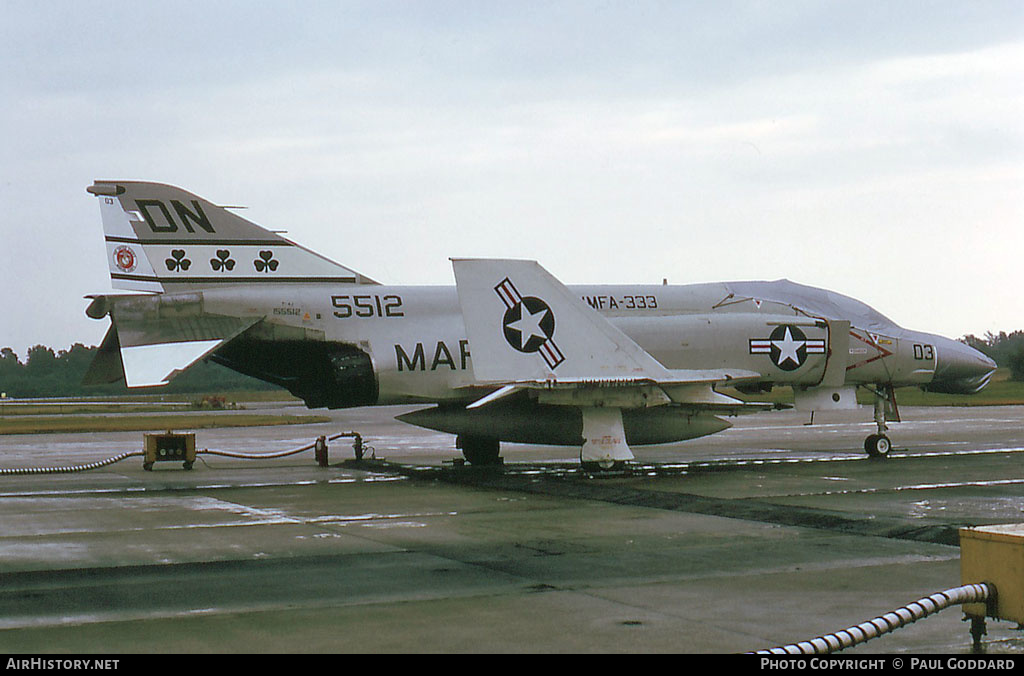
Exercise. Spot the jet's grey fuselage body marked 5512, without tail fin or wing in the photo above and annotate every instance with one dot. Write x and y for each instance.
(417, 343)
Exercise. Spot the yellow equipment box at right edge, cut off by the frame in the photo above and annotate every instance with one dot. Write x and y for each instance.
(995, 555)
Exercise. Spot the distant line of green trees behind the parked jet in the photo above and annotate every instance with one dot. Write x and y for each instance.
(50, 373)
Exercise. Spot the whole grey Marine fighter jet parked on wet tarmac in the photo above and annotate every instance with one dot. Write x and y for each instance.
(509, 354)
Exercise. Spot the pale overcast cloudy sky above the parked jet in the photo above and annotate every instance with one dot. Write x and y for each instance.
(875, 149)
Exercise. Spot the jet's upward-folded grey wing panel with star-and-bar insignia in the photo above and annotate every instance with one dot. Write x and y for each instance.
(529, 331)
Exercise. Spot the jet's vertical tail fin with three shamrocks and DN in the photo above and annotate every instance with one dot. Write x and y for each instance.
(161, 238)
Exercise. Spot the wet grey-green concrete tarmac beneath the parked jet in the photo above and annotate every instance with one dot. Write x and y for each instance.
(771, 533)
